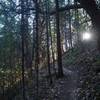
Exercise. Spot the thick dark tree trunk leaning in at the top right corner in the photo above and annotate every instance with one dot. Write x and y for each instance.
(92, 9)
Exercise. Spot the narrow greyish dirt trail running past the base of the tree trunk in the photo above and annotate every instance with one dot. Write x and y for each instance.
(69, 86)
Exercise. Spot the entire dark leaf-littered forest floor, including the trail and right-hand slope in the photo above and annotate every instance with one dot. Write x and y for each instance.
(81, 79)
